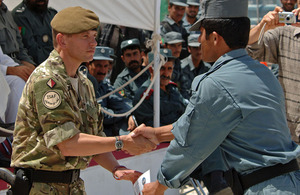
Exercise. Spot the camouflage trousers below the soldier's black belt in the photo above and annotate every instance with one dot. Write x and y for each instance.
(75, 188)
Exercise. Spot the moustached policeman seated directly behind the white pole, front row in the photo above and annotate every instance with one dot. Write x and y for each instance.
(172, 104)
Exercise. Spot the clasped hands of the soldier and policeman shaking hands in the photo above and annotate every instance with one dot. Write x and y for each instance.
(144, 139)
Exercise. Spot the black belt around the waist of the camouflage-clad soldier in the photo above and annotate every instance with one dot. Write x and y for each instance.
(42, 176)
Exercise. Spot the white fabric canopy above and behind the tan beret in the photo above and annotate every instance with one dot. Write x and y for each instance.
(132, 13)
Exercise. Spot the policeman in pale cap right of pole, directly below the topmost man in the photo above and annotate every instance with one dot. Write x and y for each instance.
(173, 41)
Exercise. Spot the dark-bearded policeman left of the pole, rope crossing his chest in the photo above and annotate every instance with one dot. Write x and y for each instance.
(131, 55)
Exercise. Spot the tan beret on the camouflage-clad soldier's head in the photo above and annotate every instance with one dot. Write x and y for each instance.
(74, 20)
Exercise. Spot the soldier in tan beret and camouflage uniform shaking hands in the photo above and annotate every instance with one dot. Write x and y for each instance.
(59, 125)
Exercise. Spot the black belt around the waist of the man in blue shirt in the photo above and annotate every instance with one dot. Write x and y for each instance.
(239, 183)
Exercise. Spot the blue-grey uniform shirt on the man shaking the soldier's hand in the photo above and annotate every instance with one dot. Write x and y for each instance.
(238, 106)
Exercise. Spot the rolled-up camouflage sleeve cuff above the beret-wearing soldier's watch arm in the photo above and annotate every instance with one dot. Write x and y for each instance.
(60, 133)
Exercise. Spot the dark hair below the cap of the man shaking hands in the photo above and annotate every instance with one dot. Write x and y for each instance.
(235, 31)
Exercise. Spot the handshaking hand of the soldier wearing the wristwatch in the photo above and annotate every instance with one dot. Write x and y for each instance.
(137, 145)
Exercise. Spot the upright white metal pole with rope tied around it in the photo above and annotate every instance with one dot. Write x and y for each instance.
(156, 103)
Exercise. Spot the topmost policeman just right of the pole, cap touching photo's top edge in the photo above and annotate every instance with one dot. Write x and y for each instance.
(173, 22)
